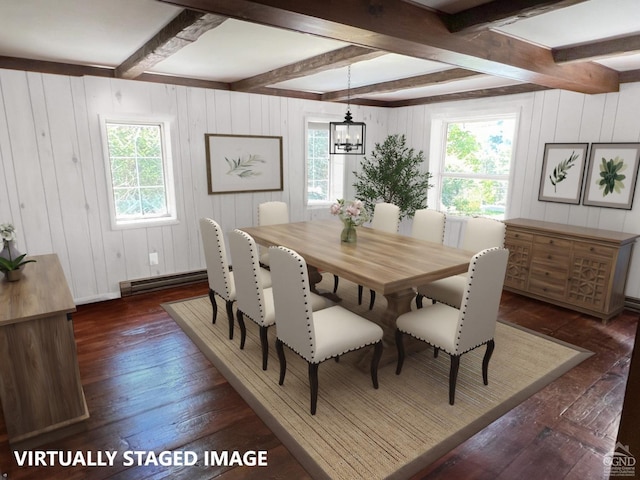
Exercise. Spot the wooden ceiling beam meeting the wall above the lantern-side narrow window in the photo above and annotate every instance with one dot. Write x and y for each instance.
(402, 84)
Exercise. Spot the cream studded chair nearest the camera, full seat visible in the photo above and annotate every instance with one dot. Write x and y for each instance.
(315, 336)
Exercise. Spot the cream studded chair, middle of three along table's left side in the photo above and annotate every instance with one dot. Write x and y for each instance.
(253, 300)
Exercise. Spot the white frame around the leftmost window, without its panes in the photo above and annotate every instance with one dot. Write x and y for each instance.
(171, 217)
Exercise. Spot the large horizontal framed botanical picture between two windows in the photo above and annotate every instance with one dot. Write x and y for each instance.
(243, 163)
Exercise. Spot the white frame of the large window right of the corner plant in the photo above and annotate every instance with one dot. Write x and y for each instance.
(439, 126)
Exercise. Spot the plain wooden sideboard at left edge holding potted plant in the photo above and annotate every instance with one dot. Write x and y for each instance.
(40, 387)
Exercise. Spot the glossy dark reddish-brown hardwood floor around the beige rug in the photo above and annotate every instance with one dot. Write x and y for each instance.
(149, 388)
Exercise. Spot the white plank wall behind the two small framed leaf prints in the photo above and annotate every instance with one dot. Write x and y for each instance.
(552, 116)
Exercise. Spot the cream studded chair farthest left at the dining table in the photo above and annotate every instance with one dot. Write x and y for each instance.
(221, 281)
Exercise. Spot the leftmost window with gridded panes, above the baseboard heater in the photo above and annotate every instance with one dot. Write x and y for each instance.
(139, 171)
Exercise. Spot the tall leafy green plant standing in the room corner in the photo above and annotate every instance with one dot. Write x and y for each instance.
(393, 175)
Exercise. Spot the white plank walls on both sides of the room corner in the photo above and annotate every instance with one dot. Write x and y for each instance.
(54, 185)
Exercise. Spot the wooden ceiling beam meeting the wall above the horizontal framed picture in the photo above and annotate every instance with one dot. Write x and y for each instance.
(325, 61)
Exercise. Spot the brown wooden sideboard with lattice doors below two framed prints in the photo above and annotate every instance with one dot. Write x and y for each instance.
(583, 269)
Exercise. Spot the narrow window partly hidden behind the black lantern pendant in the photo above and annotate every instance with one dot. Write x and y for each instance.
(325, 174)
